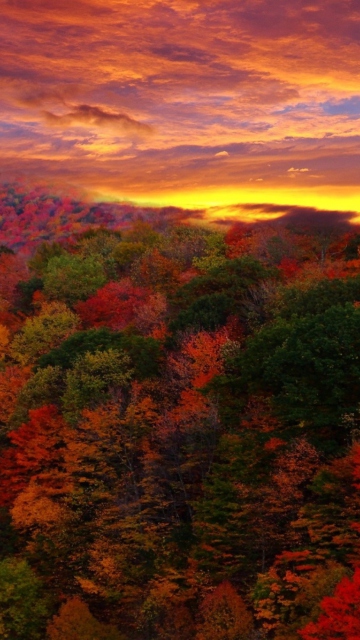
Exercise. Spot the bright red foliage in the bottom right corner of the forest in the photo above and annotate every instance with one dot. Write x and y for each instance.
(340, 619)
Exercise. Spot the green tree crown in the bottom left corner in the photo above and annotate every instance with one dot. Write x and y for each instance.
(23, 608)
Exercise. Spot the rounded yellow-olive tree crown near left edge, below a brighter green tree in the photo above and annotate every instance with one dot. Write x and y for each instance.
(43, 332)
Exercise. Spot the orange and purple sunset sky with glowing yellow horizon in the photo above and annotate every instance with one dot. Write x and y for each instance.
(243, 108)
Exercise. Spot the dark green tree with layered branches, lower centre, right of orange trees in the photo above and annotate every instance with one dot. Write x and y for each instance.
(226, 545)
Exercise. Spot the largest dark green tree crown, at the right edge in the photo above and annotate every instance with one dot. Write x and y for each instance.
(310, 365)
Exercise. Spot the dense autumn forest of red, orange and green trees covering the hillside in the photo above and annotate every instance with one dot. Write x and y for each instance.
(179, 427)
